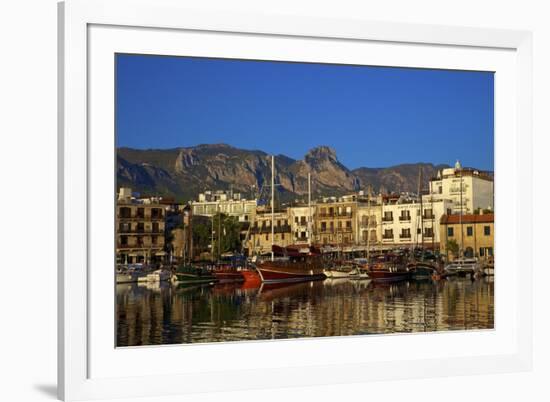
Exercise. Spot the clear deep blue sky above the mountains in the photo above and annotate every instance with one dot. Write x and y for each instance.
(371, 116)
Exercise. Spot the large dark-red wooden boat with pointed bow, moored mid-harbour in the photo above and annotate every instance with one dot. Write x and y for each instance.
(292, 264)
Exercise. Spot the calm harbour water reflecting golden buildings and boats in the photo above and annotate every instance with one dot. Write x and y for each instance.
(155, 314)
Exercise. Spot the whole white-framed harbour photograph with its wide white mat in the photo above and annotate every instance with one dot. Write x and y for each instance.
(343, 201)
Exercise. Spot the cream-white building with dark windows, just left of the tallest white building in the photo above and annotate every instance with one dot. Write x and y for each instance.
(405, 225)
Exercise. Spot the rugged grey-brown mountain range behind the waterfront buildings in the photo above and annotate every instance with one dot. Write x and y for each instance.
(184, 172)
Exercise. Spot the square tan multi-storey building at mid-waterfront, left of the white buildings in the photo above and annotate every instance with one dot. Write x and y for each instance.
(336, 220)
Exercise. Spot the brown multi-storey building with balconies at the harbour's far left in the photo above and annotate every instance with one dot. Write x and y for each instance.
(140, 229)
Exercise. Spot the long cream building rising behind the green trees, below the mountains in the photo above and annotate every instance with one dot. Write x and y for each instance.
(211, 203)
